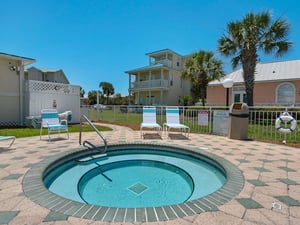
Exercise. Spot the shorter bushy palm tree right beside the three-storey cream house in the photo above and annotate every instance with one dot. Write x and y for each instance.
(201, 68)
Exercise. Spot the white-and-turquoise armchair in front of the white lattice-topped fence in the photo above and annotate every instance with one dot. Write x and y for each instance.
(50, 120)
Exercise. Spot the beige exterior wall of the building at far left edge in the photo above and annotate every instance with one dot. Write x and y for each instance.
(9, 94)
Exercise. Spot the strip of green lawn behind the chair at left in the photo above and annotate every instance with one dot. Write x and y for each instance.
(29, 132)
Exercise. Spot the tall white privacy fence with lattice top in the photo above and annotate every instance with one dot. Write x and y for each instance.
(47, 95)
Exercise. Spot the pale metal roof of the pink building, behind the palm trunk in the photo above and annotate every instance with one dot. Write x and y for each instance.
(267, 72)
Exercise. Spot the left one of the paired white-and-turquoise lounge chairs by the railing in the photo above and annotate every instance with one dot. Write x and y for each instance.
(149, 120)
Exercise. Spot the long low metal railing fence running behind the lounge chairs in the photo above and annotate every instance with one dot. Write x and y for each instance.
(209, 120)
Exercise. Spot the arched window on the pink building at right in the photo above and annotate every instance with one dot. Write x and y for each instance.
(285, 93)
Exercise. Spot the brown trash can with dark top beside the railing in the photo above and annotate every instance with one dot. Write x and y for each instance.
(238, 121)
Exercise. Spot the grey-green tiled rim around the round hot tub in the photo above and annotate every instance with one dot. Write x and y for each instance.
(34, 189)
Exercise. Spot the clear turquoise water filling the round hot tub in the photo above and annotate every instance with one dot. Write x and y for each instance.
(135, 178)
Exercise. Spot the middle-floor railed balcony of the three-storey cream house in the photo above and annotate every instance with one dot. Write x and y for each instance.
(149, 84)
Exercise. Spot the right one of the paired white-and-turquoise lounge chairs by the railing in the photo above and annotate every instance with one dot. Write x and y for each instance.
(173, 122)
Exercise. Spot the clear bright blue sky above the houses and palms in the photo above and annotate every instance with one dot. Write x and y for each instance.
(95, 41)
